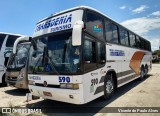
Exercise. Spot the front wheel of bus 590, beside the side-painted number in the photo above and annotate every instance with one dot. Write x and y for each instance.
(108, 86)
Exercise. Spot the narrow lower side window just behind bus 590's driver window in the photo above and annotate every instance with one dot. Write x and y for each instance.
(101, 53)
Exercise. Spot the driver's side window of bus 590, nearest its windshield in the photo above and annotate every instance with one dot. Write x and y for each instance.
(89, 54)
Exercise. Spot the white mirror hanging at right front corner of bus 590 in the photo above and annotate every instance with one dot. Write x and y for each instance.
(77, 33)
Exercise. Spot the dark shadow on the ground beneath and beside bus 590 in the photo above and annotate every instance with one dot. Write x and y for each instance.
(91, 108)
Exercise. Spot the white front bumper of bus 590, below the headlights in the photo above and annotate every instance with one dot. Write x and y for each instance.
(58, 94)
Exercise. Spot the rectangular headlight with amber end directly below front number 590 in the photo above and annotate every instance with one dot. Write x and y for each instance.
(69, 86)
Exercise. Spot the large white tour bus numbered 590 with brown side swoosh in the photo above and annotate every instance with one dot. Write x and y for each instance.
(80, 54)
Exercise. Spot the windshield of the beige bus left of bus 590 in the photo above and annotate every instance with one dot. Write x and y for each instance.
(19, 59)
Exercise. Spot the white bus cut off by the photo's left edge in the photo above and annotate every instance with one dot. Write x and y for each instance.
(6, 45)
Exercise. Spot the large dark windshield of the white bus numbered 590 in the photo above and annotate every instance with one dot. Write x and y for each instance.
(54, 54)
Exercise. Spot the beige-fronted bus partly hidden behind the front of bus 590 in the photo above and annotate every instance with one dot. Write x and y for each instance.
(16, 70)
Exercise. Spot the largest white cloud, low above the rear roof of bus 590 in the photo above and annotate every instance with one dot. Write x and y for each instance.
(142, 26)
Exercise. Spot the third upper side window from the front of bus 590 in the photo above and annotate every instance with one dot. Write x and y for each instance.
(123, 37)
